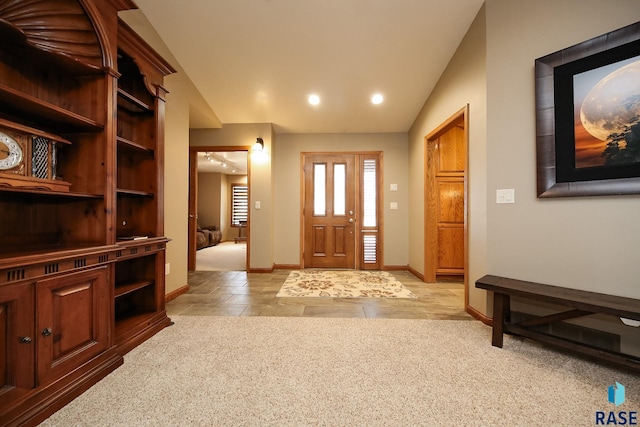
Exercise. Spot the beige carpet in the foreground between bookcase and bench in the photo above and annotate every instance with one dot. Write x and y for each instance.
(268, 371)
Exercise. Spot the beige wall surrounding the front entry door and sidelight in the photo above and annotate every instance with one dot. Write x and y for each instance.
(287, 180)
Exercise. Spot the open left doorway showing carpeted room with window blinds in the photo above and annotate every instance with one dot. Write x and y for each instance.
(219, 223)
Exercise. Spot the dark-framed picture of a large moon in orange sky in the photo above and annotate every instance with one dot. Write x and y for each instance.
(587, 127)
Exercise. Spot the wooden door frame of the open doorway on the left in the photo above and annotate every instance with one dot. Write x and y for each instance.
(193, 199)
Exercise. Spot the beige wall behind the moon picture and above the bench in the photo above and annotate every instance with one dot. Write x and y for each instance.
(586, 243)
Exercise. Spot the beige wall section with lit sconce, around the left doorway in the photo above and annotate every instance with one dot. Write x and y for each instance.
(261, 244)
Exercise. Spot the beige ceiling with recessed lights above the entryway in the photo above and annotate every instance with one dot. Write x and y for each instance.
(257, 61)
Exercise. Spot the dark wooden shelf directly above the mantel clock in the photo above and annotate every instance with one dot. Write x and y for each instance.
(33, 106)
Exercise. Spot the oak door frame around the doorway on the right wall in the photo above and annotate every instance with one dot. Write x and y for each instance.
(430, 222)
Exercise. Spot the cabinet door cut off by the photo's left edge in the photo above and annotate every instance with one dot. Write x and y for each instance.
(17, 370)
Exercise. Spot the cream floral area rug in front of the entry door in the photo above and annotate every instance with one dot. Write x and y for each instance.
(343, 284)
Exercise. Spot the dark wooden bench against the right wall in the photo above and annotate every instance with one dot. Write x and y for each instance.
(580, 303)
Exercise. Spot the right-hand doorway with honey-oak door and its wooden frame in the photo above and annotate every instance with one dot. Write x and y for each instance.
(446, 207)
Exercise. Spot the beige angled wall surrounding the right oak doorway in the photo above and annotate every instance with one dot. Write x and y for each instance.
(463, 83)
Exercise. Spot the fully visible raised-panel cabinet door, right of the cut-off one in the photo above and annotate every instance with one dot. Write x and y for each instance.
(73, 321)
